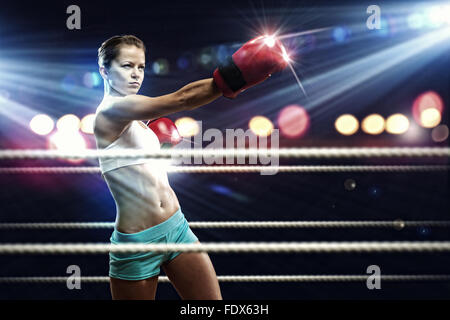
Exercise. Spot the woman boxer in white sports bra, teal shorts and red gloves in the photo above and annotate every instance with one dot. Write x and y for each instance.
(148, 210)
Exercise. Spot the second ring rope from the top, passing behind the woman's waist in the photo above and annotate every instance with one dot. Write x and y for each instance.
(238, 169)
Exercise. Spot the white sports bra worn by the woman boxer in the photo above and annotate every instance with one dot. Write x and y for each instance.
(138, 137)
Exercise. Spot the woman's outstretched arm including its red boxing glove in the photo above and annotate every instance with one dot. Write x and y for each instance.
(253, 63)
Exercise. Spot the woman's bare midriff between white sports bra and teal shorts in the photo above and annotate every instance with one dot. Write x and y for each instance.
(143, 197)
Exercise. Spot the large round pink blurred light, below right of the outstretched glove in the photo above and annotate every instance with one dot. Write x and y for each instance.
(293, 121)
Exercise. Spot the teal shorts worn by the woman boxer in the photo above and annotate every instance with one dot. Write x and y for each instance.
(143, 265)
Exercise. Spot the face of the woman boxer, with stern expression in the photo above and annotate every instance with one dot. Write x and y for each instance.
(126, 73)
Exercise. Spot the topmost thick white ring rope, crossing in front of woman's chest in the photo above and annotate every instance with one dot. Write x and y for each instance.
(356, 152)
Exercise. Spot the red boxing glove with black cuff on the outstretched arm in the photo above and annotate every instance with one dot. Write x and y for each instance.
(253, 63)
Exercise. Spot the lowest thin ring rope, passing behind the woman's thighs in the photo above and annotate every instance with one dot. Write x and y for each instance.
(244, 278)
